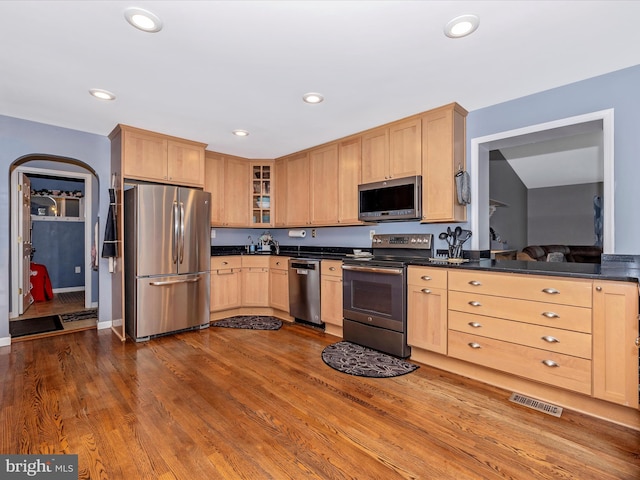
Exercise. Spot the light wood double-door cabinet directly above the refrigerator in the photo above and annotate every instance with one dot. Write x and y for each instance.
(159, 158)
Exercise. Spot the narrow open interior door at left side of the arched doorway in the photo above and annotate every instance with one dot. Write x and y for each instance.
(24, 238)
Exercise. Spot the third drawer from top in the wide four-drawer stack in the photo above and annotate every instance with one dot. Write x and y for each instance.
(567, 342)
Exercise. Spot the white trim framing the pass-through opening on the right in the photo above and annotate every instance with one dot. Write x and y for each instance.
(481, 146)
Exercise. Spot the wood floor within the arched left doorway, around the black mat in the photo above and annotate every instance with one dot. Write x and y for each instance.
(65, 303)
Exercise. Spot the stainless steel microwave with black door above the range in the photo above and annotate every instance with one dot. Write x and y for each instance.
(391, 200)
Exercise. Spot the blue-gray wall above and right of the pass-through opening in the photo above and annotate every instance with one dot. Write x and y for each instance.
(618, 90)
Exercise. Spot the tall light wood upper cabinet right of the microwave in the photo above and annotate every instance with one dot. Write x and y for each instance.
(443, 155)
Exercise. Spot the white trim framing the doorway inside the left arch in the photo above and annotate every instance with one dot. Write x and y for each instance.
(88, 230)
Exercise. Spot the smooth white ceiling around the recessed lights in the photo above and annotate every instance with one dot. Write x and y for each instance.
(222, 65)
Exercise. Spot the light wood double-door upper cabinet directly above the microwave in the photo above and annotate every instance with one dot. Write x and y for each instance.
(392, 151)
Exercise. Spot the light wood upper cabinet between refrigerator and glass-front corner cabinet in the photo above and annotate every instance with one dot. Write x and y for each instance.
(228, 180)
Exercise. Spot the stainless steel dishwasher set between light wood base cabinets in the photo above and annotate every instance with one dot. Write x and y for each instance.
(304, 290)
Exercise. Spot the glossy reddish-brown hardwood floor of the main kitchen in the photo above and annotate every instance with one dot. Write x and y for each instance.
(229, 403)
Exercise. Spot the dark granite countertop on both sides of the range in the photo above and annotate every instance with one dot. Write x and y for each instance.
(614, 267)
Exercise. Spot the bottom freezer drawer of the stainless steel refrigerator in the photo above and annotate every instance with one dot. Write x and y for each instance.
(167, 304)
